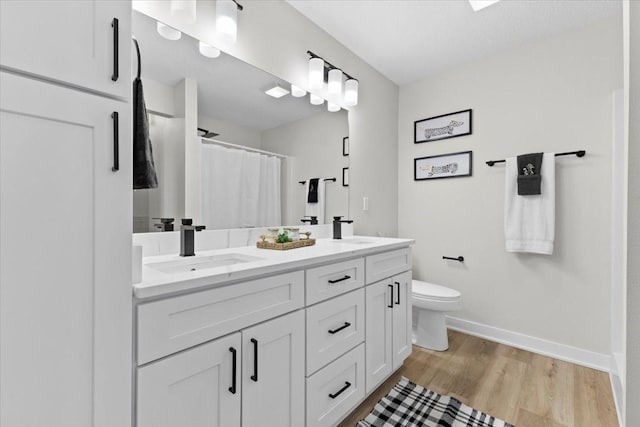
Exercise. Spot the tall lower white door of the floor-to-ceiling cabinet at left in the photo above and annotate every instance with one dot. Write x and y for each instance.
(65, 258)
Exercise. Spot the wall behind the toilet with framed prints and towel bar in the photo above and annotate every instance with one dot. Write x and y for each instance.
(550, 95)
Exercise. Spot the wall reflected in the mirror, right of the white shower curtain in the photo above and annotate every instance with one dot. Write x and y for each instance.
(315, 148)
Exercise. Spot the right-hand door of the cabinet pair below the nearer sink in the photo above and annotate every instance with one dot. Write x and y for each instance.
(273, 372)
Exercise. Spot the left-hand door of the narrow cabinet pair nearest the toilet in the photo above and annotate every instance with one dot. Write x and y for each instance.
(379, 333)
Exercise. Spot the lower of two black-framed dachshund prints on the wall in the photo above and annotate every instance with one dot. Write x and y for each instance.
(443, 166)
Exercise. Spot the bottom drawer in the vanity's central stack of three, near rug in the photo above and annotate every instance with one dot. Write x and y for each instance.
(336, 389)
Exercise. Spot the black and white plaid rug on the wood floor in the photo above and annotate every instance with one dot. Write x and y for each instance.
(409, 405)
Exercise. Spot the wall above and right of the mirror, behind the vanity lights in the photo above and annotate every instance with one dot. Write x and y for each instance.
(275, 37)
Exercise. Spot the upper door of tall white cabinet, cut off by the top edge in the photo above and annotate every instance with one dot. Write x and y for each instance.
(69, 41)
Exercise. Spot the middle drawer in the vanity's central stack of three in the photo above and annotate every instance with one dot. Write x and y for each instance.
(333, 328)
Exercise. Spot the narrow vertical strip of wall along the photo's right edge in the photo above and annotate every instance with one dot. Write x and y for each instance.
(632, 88)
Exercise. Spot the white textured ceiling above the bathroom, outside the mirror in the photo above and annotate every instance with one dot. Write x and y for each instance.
(409, 40)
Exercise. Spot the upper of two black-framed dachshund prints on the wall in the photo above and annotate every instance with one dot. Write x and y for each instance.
(442, 127)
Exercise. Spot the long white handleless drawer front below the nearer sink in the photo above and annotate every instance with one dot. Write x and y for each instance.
(170, 325)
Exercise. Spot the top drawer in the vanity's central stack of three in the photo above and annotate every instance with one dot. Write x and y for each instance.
(334, 279)
